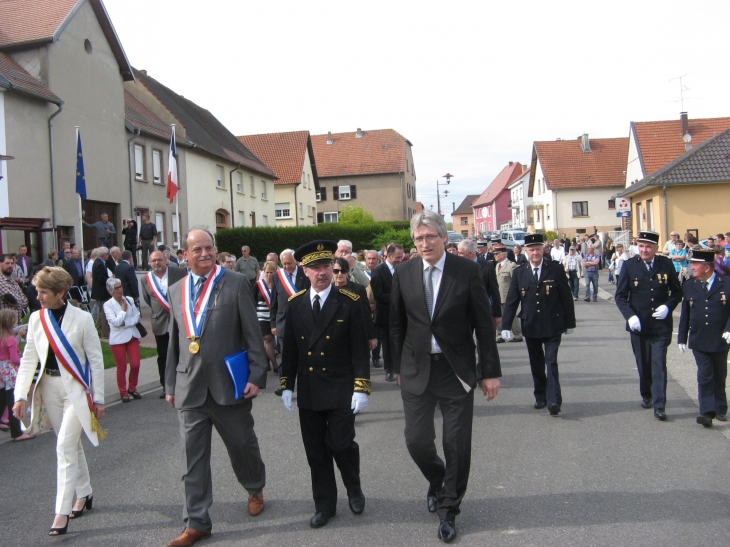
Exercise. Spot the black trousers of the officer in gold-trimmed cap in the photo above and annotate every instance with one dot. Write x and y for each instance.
(328, 435)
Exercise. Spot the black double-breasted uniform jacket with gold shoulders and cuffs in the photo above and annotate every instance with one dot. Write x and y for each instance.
(330, 359)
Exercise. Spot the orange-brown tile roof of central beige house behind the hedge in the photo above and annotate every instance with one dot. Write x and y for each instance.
(377, 151)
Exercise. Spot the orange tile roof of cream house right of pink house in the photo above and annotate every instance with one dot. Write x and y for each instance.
(565, 165)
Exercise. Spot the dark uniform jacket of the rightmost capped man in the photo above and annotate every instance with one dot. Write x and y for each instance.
(705, 317)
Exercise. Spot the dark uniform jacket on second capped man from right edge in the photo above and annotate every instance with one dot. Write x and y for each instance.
(640, 293)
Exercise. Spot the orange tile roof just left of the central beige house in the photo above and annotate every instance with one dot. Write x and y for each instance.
(282, 152)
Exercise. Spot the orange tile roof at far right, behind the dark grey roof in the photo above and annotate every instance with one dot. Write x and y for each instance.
(661, 142)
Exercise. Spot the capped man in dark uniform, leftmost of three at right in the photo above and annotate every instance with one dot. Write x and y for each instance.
(541, 288)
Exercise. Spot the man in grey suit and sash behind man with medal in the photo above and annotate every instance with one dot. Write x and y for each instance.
(155, 293)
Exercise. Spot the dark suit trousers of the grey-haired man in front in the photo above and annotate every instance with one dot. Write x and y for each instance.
(457, 409)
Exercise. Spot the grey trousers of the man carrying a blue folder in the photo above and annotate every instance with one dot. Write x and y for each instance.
(234, 424)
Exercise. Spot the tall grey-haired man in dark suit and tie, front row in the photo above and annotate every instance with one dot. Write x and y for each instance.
(437, 304)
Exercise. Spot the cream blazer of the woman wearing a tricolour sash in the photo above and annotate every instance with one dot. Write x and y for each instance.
(78, 326)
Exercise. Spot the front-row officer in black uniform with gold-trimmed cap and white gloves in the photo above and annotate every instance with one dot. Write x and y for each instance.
(326, 354)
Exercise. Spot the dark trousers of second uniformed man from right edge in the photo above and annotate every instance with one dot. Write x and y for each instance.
(650, 352)
